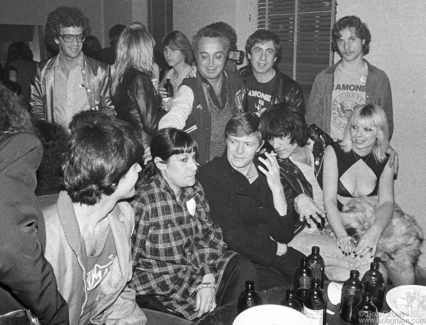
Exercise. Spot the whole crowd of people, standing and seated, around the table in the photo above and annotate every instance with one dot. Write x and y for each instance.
(168, 206)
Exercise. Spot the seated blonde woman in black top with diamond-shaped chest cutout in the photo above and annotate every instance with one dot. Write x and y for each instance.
(357, 167)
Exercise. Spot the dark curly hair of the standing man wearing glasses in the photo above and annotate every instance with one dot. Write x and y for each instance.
(64, 17)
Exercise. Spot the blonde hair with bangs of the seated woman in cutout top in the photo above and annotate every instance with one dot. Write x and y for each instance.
(369, 114)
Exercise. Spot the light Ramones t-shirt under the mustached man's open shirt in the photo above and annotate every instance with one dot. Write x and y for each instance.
(348, 92)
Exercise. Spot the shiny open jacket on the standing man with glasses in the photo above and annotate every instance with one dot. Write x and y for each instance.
(97, 81)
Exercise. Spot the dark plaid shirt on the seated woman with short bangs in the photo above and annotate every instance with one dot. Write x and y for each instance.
(173, 249)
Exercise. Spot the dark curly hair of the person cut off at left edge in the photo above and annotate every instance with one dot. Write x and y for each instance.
(13, 116)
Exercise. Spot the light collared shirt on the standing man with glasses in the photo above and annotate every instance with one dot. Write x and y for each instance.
(70, 95)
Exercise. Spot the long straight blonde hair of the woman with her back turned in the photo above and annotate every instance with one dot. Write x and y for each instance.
(135, 48)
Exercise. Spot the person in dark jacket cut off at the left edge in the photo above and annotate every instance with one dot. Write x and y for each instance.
(27, 280)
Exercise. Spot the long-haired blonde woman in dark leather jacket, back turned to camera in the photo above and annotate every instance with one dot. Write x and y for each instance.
(134, 95)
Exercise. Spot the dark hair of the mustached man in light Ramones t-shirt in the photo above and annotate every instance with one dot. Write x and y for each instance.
(361, 31)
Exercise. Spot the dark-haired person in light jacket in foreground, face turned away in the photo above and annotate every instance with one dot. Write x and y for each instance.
(88, 230)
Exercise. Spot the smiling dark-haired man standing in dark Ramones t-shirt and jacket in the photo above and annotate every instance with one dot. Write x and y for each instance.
(265, 84)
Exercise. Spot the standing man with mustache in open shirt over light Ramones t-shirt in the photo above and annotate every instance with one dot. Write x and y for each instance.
(350, 82)
